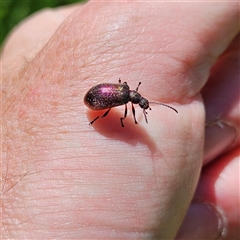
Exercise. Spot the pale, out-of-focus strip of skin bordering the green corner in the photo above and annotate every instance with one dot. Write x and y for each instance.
(29, 37)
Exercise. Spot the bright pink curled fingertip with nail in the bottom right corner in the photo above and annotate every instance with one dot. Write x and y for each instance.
(215, 212)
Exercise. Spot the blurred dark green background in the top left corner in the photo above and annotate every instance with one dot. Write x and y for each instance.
(13, 11)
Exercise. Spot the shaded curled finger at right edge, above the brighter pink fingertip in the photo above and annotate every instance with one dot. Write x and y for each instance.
(221, 96)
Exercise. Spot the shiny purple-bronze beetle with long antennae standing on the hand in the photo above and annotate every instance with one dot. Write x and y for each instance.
(109, 95)
